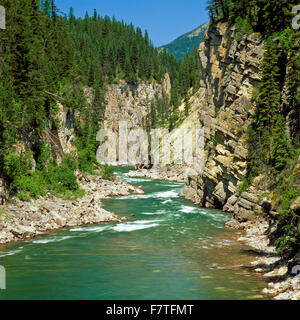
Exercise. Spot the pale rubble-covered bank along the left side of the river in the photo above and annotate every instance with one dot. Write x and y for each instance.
(25, 220)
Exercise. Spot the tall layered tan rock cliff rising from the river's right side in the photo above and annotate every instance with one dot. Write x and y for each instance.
(231, 71)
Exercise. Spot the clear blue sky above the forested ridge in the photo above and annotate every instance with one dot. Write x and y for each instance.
(165, 20)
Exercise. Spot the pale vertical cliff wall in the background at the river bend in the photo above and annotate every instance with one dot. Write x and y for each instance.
(131, 104)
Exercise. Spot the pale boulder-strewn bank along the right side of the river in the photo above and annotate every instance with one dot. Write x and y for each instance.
(281, 284)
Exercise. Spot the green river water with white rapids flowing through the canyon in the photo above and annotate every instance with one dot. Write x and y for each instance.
(170, 249)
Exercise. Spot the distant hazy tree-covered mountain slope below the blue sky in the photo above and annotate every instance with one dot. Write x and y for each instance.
(185, 43)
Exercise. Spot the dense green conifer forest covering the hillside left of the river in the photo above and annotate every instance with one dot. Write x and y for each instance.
(48, 58)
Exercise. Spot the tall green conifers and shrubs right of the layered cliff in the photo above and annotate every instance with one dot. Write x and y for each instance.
(274, 150)
